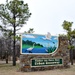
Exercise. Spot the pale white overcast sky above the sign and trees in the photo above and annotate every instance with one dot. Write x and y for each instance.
(48, 15)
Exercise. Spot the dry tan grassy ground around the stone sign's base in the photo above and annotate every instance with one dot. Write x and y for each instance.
(8, 69)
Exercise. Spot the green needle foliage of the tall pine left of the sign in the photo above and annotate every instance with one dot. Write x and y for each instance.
(11, 9)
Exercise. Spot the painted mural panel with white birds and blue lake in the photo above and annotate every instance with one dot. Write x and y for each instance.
(39, 44)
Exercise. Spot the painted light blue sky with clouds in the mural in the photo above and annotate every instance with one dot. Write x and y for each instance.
(39, 39)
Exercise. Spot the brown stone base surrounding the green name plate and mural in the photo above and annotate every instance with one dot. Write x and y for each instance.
(62, 52)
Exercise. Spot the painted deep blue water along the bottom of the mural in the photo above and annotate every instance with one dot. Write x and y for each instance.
(35, 50)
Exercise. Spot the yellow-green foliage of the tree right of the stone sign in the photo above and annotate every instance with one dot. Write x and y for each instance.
(70, 33)
